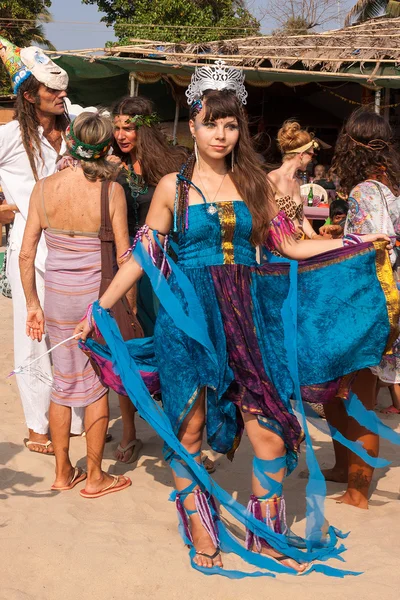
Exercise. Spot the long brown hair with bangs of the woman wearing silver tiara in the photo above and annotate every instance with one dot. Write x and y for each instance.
(248, 175)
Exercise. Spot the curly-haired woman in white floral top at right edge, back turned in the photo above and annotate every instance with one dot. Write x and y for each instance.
(368, 165)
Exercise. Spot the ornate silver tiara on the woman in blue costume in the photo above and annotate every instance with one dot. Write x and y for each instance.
(217, 77)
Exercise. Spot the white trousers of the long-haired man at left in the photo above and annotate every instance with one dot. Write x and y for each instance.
(35, 393)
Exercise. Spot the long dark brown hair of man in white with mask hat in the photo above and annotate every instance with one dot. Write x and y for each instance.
(25, 113)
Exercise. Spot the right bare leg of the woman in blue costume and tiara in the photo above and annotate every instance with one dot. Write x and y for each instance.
(267, 446)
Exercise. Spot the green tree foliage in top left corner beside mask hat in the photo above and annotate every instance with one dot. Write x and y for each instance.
(23, 33)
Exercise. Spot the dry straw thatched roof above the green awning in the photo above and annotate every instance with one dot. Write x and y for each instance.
(376, 42)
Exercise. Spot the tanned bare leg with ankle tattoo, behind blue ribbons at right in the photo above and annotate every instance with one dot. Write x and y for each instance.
(359, 473)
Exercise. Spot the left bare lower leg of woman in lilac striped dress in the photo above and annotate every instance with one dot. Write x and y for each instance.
(60, 426)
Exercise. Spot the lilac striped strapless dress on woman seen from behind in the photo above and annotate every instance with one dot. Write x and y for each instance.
(72, 281)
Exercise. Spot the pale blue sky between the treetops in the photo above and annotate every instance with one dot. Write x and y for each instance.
(77, 26)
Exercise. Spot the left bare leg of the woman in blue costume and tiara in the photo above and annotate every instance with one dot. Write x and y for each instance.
(191, 435)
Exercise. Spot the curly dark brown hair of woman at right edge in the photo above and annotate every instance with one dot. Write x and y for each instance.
(365, 150)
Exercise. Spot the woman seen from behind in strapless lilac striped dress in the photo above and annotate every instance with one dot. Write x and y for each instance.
(67, 207)
